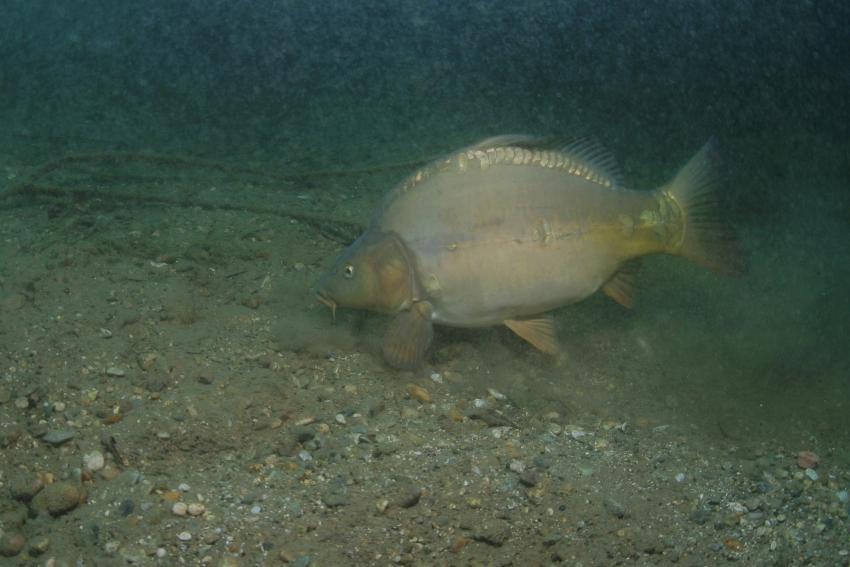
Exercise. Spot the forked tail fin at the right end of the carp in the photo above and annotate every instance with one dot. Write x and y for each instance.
(707, 238)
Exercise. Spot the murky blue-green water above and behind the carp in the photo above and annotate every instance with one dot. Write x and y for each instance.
(305, 84)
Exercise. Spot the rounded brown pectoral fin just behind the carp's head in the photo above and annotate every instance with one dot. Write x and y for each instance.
(408, 337)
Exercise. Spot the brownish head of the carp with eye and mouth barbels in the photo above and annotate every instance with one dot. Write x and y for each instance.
(374, 273)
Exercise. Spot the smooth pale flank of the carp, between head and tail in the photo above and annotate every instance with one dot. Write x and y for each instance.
(511, 241)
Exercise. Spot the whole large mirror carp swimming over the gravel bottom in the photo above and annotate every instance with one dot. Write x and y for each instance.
(508, 230)
